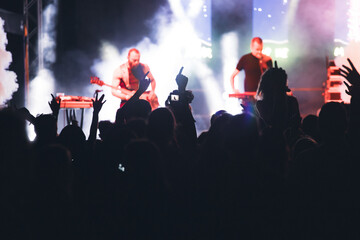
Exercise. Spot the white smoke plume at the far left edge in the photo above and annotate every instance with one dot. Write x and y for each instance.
(8, 79)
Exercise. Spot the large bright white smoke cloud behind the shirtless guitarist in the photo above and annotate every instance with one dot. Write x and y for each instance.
(174, 43)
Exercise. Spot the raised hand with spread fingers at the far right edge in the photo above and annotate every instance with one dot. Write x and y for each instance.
(353, 77)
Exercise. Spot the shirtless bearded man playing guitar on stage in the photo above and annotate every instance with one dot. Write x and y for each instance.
(127, 77)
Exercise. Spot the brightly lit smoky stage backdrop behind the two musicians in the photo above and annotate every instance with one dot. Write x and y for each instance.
(207, 37)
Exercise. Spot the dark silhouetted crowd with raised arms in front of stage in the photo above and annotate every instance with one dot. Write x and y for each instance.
(260, 174)
